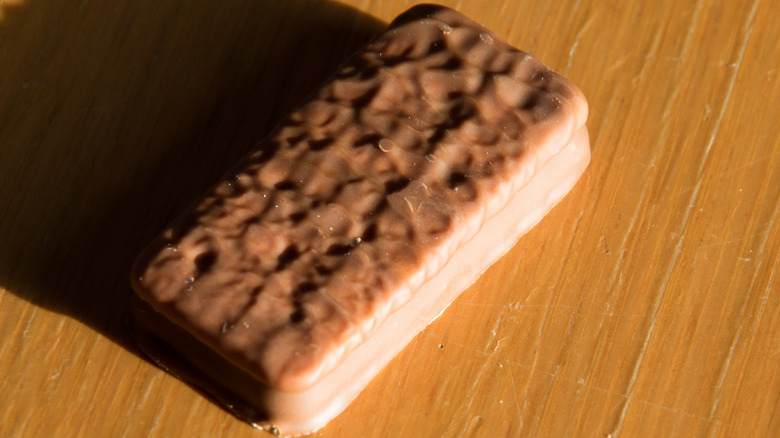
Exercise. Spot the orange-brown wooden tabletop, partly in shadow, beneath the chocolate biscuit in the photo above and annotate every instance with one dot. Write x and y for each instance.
(646, 304)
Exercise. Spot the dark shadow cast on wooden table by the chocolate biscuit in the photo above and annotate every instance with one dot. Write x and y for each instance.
(114, 118)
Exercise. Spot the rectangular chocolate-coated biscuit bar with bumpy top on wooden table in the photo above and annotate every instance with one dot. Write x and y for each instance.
(313, 262)
